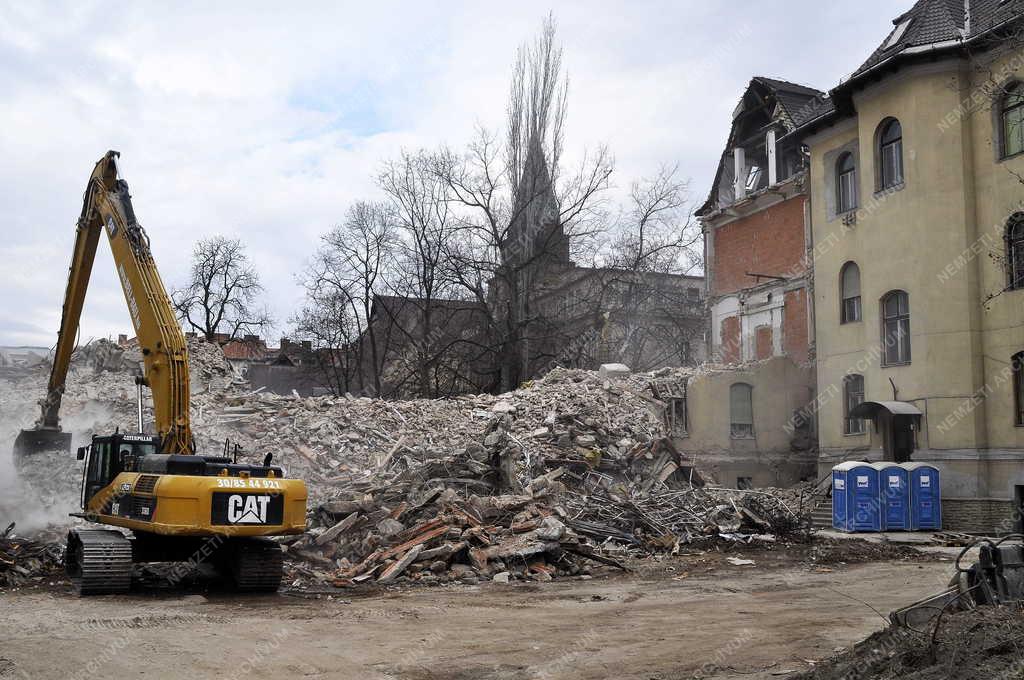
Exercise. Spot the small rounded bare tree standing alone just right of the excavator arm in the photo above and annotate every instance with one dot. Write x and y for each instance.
(223, 292)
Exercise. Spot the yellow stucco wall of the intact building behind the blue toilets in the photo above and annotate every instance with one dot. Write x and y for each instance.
(938, 236)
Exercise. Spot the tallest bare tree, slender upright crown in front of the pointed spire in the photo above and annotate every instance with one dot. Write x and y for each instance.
(518, 218)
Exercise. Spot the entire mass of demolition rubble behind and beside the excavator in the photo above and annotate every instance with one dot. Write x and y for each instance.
(571, 473)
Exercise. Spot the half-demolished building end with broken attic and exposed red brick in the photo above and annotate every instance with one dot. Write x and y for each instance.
(759, 280)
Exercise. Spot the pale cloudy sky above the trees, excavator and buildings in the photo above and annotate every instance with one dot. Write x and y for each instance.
(266, 123)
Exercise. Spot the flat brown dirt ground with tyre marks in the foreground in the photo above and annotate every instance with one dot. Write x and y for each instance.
(692, 617)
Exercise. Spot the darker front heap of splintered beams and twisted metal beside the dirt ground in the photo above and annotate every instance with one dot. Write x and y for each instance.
(489, 512)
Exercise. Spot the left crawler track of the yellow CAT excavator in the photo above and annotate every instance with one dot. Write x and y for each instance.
(99, 562)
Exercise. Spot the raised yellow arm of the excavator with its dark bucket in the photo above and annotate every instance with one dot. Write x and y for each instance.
(107, 207)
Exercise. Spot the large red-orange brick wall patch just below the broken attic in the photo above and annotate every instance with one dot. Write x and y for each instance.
(770, 242)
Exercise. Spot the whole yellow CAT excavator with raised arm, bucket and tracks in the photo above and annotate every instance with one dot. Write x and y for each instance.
(179, 506)
